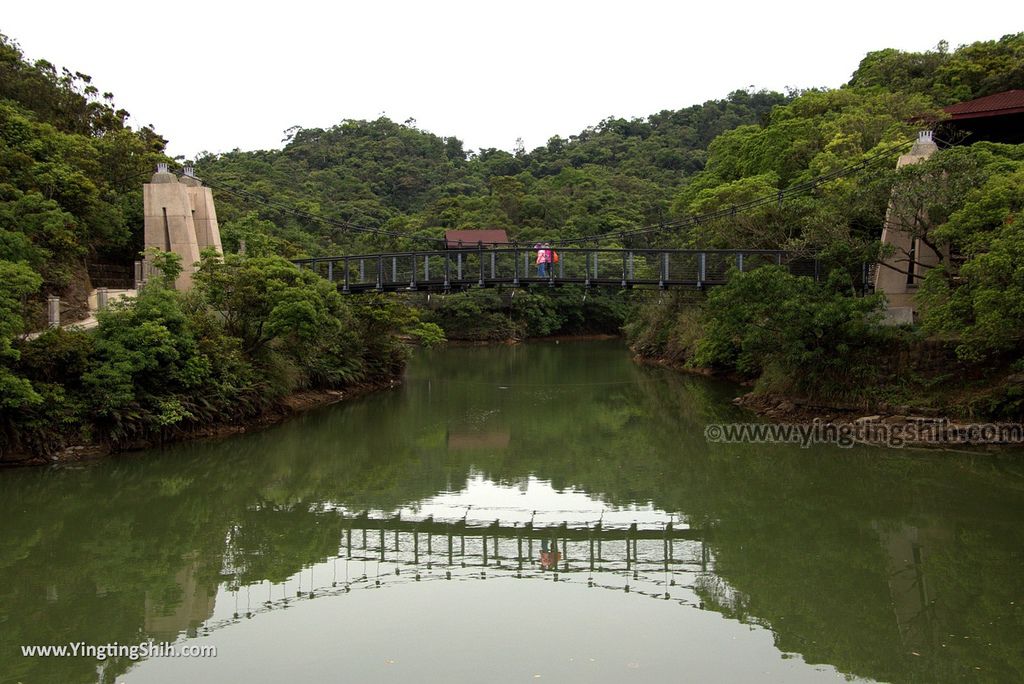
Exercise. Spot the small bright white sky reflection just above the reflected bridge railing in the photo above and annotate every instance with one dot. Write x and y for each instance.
(483, 502)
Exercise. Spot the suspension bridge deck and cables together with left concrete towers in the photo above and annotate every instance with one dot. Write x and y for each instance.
(180, 218)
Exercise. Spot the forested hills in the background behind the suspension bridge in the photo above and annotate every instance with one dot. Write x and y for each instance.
(613, 177)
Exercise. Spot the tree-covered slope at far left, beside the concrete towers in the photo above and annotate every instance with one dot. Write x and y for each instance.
(70, 170)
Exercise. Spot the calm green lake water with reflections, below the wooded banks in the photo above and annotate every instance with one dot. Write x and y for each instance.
(448, 532)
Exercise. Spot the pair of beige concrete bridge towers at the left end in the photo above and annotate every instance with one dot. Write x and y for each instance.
(181, 218)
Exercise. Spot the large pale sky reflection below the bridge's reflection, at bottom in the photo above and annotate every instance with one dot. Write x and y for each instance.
(495, 630)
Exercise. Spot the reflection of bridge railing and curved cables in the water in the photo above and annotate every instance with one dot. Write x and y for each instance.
(376, 553)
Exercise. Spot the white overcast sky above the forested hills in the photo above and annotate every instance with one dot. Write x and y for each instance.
(216, 76)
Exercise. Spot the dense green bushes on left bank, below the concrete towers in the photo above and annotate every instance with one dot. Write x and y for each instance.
(252, 333)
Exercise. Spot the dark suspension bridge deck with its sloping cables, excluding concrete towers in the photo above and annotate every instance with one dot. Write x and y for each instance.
(493, 266)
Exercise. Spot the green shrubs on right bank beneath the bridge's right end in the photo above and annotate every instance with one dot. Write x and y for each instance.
(769, 324)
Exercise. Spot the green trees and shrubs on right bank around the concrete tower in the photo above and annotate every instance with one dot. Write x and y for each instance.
(825, 344)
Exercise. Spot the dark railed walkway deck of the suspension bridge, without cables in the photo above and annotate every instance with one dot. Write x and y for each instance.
(516, 267)
